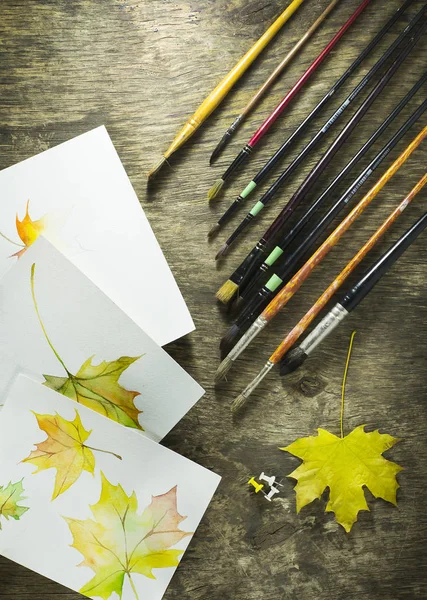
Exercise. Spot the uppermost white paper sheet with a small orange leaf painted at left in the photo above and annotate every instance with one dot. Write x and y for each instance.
(79, 196)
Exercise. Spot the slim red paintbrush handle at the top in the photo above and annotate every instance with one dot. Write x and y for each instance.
(304, 78)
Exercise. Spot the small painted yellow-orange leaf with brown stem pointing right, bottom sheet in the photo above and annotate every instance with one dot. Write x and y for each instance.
(64, 450)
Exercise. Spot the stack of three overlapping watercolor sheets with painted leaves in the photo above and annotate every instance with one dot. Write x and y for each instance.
(87, 495)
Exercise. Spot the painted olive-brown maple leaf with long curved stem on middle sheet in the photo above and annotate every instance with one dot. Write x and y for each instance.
(95, 386)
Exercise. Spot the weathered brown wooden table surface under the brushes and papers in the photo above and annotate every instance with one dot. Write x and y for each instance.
(141, 67)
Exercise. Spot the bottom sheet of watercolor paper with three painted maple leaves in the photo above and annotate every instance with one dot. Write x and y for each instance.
(119, 527)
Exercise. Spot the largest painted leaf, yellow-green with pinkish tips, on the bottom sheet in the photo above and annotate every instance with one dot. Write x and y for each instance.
(119, 543)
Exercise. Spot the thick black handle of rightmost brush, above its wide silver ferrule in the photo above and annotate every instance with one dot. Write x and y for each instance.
(374, 274)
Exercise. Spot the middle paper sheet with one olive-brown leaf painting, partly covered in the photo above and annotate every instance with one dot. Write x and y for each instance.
(59, 328)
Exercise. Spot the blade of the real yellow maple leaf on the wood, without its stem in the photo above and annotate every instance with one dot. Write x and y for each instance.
(345, 465)
